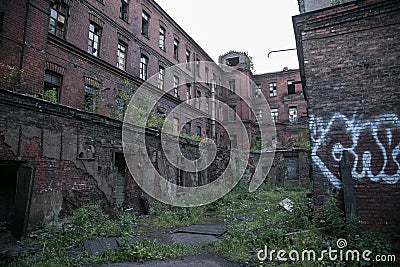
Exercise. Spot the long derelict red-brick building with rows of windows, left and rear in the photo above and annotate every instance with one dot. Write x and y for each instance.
(86, 57)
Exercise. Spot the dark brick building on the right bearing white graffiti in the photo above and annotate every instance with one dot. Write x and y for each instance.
(349, 63)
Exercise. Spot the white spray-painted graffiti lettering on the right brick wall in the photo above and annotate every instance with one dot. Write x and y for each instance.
(373, 145)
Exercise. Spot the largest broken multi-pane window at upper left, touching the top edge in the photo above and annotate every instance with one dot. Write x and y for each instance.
(58, 19)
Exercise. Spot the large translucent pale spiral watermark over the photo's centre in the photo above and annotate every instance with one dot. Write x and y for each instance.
(189, 81)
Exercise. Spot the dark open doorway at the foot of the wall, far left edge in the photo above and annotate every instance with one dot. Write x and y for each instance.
(15, 196)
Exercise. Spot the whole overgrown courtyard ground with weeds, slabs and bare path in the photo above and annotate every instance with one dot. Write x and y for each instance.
(228, 232)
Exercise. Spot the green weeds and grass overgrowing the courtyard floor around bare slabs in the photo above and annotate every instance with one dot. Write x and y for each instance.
(254, 220)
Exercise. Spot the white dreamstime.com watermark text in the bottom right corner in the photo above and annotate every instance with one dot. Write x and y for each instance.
(340, 253)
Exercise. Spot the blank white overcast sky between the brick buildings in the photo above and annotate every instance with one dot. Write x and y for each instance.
(253, 26)
